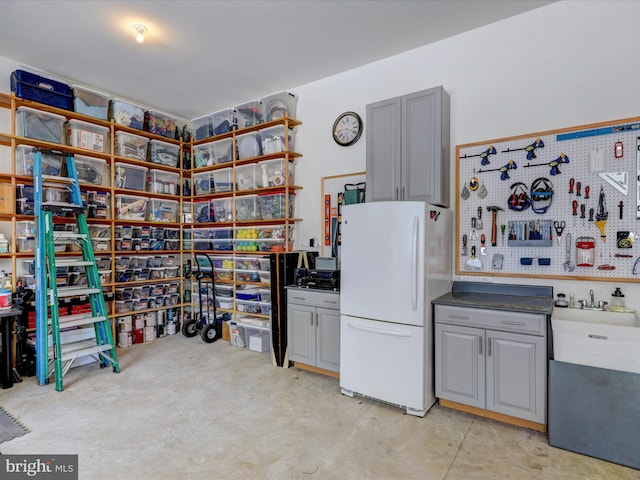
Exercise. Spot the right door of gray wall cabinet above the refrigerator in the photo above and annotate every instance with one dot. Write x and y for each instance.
(422, 150)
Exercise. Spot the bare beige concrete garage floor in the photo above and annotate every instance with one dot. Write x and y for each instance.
(183, 409)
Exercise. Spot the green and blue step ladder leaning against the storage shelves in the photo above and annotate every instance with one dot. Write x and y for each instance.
(53, 356)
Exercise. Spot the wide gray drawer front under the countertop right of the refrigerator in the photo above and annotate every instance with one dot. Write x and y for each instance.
(496, 319)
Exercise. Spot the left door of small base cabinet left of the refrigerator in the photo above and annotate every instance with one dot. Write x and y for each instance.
(301, 333)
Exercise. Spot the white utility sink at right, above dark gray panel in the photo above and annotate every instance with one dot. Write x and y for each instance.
(597, 338)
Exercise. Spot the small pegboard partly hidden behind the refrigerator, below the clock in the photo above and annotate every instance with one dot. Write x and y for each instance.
(332, 189)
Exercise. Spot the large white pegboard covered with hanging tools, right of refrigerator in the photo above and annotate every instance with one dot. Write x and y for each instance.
(602, 157)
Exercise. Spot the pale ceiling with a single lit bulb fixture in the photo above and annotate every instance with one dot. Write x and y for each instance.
(207, 55)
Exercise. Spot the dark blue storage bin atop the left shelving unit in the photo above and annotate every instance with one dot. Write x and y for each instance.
(35, 87)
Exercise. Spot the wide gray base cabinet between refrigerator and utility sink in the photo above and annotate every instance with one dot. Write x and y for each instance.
(492, 360)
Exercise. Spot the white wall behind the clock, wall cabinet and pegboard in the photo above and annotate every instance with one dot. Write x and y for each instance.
(566, 64)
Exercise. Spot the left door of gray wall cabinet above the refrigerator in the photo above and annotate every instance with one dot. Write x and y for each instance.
(383, 151)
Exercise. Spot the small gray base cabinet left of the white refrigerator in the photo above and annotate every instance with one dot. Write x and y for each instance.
(313, 328)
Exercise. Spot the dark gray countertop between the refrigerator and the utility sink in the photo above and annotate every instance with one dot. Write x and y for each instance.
(514, 298)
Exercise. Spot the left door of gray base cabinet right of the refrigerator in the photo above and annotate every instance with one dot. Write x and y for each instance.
(460, 364)
